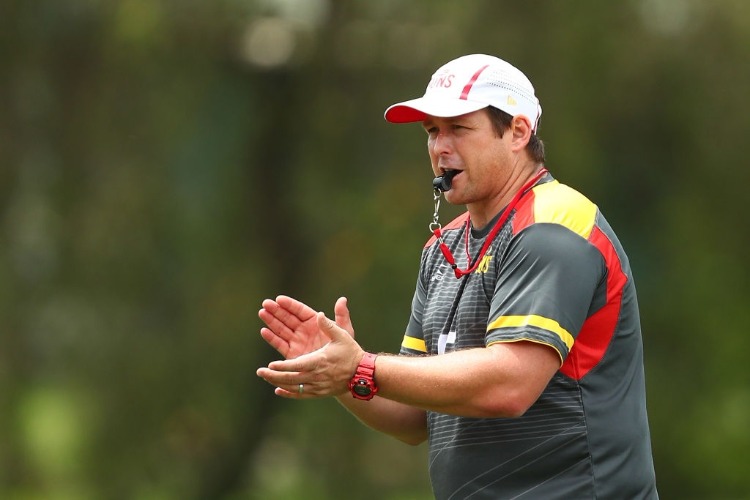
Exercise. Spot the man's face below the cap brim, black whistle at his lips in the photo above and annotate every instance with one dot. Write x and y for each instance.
(469, 143)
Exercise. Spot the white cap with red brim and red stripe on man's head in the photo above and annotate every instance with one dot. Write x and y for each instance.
(468, 84)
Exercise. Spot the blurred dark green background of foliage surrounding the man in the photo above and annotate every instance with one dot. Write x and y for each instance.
(167, 164)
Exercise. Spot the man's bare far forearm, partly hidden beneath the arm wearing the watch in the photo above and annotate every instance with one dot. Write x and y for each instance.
(403, 422)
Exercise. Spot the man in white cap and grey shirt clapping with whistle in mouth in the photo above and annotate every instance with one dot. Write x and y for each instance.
(522, 359)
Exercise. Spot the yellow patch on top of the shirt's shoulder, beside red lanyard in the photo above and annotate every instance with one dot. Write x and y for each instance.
(560, 204)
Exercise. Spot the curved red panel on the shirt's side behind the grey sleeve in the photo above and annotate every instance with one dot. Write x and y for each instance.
(597, 331)
